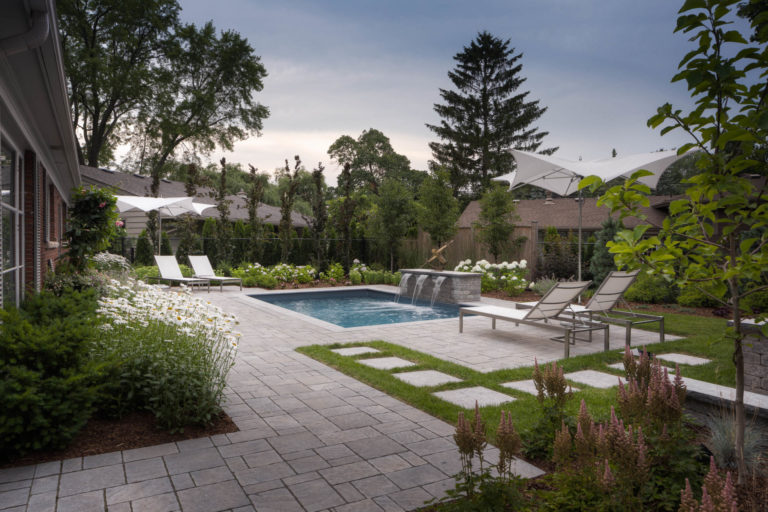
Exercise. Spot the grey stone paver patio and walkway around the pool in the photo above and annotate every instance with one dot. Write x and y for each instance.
(310, 437)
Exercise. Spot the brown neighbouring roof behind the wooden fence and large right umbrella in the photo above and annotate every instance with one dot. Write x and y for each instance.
(563, 213)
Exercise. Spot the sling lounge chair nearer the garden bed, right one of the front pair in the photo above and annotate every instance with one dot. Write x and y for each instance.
(607, 296)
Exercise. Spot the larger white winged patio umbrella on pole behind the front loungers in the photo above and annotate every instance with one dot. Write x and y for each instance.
(562, 176)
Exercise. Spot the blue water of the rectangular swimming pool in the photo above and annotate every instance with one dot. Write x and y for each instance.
(356, 308)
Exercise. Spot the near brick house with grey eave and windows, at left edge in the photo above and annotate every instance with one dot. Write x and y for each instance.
(38, 153)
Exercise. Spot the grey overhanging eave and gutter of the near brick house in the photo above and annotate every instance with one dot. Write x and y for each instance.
(34, 105)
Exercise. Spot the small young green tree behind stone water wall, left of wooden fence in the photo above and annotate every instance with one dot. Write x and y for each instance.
(437, 209)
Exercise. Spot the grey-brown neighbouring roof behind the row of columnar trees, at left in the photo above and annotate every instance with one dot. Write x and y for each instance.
(139, 185)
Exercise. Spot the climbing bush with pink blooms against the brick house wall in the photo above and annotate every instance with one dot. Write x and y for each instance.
(91, 224)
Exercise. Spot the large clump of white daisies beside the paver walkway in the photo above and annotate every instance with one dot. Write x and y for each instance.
(165, 352)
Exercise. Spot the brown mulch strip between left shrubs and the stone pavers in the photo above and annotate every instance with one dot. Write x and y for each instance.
(135, 430)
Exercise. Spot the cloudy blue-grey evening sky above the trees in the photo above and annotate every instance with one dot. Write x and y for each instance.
(342, 66)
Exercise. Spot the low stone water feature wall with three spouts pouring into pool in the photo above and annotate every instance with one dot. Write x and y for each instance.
(452, 287)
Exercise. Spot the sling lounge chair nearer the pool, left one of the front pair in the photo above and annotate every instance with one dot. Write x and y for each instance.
(548, 308)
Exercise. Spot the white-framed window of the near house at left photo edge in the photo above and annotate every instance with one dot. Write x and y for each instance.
(12, 267)
